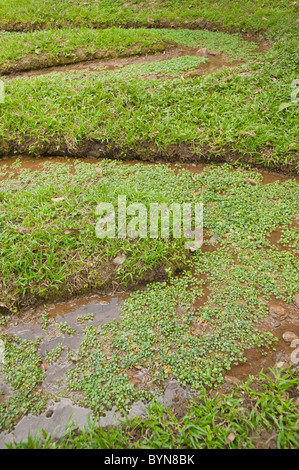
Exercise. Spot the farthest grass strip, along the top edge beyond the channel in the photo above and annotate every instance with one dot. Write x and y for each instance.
(247, 15)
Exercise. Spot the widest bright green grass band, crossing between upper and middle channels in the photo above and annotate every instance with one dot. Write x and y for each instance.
(226, 111)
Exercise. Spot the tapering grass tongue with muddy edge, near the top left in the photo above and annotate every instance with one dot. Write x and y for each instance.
(52, 47)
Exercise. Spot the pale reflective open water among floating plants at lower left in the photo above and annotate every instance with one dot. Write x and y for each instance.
(63, 331)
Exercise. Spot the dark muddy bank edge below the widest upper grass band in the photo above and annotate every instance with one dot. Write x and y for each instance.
(148, 151)
